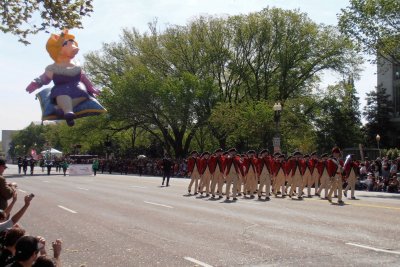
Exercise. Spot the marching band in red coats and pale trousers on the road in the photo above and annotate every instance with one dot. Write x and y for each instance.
(263, 174)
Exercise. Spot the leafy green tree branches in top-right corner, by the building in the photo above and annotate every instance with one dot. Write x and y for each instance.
(375, 25)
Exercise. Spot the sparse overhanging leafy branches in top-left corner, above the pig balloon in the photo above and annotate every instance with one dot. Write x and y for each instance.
(20, 18)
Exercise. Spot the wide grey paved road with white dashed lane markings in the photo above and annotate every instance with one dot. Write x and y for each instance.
(114, 220)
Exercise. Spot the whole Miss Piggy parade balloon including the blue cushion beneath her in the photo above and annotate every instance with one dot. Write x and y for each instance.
(73, 95)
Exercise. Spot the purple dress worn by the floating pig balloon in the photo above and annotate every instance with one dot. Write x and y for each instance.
(67, 81)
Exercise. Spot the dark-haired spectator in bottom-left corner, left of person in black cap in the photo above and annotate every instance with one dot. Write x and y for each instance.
(8, 252)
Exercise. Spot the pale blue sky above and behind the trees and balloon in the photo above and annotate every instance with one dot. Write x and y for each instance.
(19, 64)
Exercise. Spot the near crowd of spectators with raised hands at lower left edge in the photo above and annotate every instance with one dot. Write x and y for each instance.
(17, 248)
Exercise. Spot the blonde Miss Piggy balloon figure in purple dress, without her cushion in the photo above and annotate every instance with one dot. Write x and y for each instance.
(71, 86)
